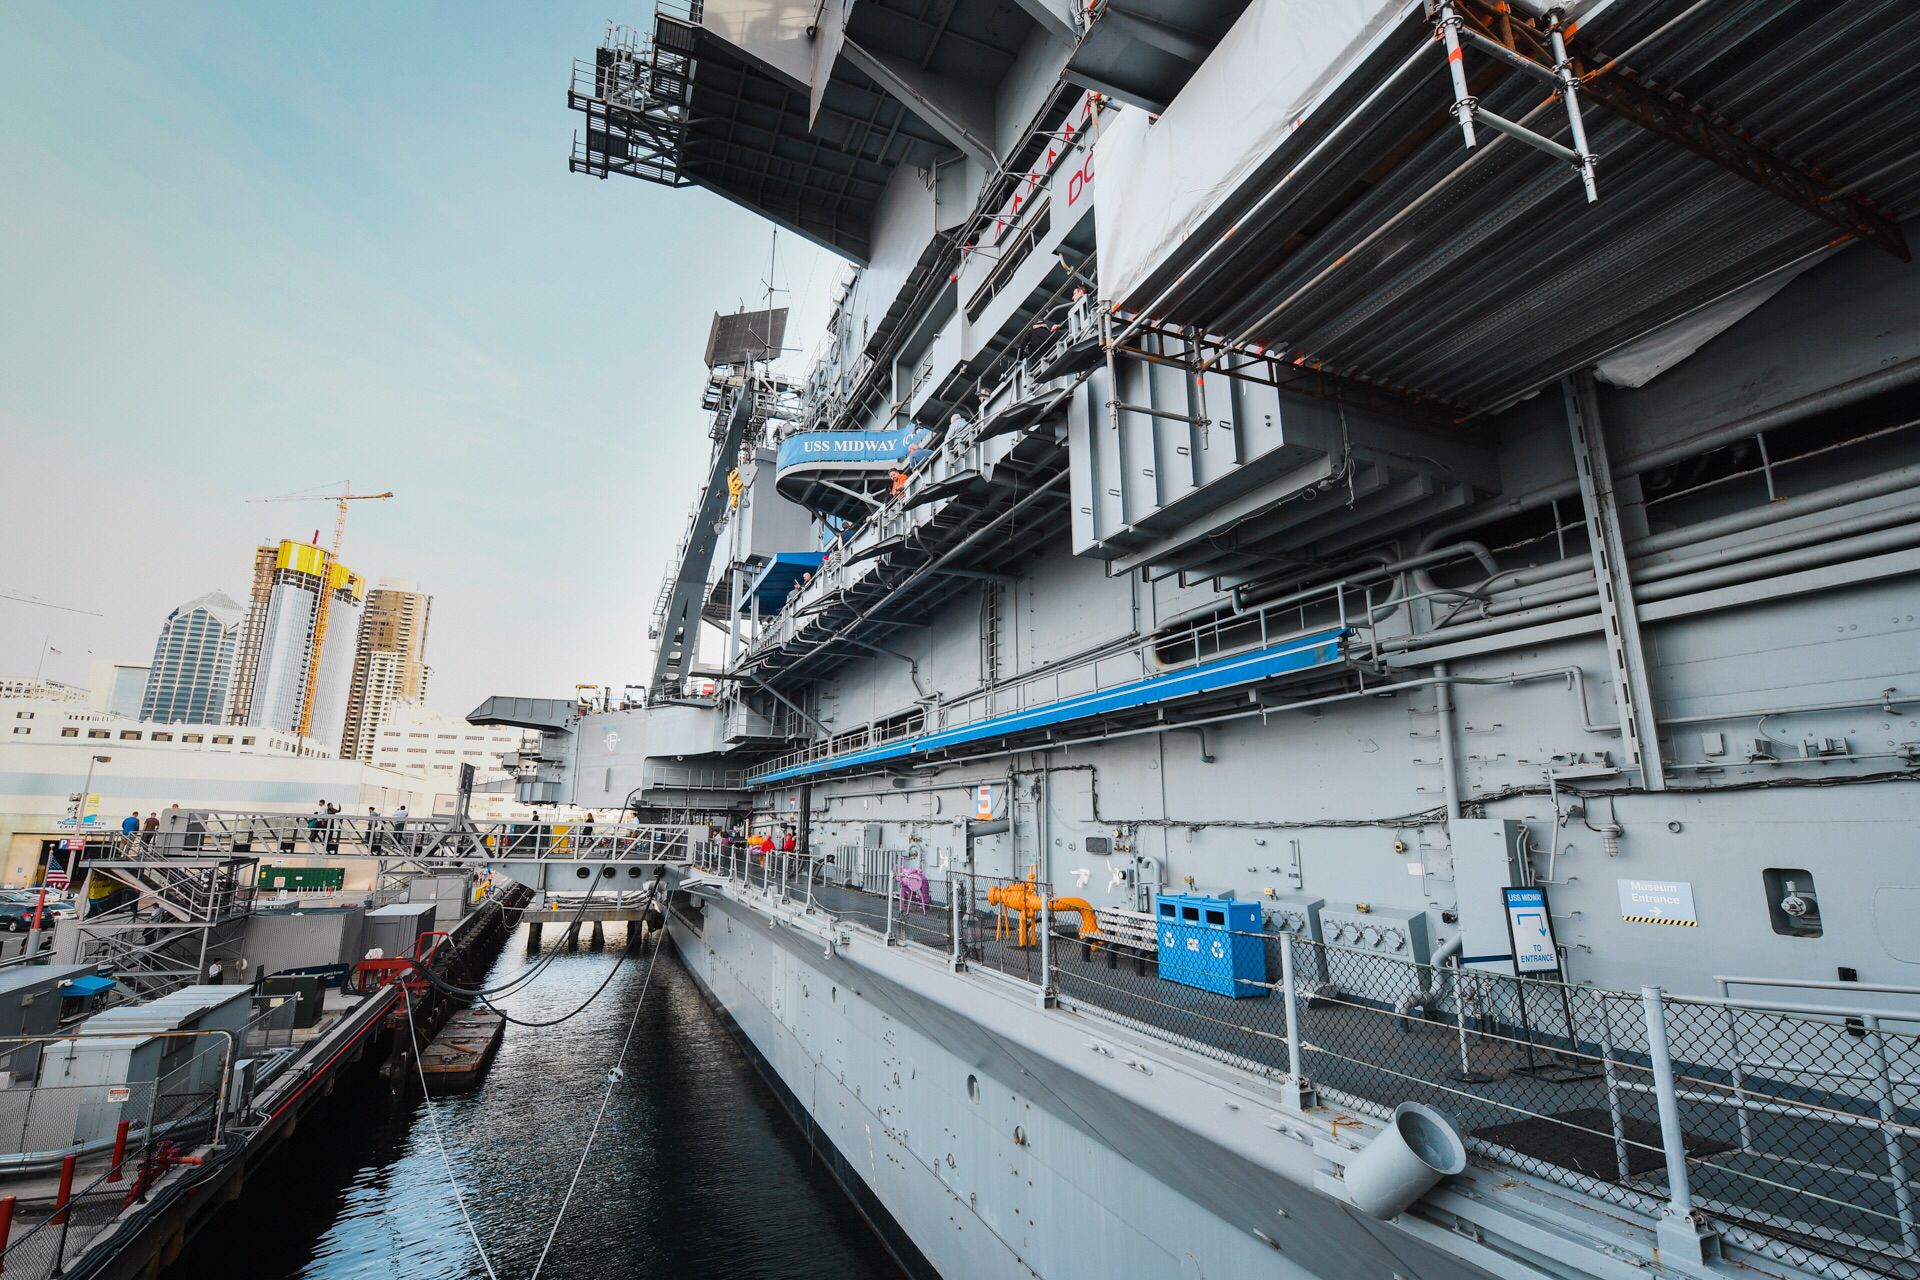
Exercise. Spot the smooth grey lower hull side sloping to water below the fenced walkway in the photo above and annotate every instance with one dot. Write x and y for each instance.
(988, 1139)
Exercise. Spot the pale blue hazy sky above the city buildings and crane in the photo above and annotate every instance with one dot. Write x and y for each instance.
(252, 250)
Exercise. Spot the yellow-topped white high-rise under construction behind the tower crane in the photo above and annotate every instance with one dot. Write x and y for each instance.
(297, 648)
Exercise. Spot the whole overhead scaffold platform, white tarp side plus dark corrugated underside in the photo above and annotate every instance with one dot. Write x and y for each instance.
(1347, 227)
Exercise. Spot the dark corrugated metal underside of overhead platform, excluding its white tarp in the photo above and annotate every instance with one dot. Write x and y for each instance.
(1403, 260)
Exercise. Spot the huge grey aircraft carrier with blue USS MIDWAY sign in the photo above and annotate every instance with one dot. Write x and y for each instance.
(1333, 625)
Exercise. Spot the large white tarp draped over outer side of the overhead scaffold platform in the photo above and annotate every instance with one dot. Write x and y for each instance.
(1161, 179)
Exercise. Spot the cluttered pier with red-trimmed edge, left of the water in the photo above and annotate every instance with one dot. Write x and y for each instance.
(124, 1202)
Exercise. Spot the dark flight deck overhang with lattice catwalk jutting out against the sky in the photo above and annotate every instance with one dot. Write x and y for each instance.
(804, 112)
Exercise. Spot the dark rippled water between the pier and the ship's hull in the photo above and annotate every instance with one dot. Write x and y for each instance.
(696, 1170)
